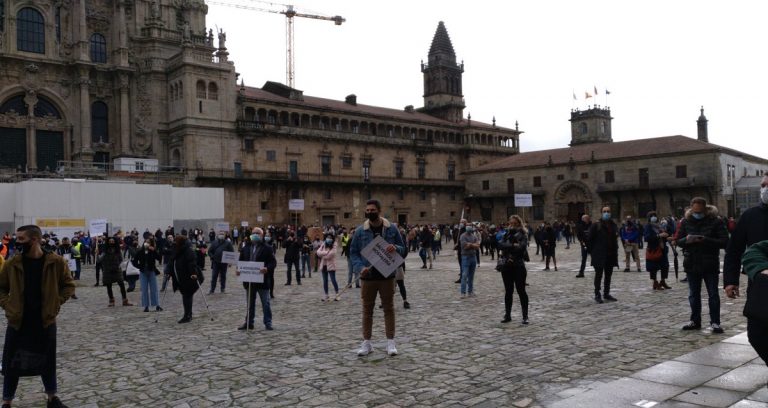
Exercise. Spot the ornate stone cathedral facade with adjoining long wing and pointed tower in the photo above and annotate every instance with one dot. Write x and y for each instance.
(89, 85)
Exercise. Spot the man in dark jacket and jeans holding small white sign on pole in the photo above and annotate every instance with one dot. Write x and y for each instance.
(258, 251)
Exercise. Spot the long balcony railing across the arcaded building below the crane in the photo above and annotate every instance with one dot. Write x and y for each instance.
(320, 178)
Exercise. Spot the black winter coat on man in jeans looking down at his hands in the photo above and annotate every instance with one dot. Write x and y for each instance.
(703, 257)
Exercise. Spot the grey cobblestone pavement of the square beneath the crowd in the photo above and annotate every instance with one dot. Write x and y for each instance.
(453, 352)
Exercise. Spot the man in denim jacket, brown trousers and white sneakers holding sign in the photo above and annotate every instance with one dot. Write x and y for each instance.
(373, 280)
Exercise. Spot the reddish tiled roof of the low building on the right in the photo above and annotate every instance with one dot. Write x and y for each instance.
(607, 151)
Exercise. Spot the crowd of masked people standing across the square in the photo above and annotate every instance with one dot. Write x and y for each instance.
(700, 234)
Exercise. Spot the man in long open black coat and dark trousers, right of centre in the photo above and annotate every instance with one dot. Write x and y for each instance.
(603, 245)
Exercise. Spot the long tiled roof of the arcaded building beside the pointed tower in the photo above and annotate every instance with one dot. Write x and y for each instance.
(312, 102)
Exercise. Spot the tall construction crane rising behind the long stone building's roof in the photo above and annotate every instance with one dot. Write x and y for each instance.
(289, 12)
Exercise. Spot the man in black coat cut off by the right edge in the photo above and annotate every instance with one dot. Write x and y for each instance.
(751, 229)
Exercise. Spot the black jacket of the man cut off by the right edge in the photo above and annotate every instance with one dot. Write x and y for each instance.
(751, 228)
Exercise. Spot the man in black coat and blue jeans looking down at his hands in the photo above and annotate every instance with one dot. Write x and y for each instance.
(702, 235)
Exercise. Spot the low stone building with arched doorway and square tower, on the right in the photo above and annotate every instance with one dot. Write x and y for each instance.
(633, 177)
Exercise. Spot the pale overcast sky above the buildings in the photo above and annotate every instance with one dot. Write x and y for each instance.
(524, 60)
